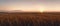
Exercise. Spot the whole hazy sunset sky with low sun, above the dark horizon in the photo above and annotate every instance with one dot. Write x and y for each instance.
(30, 5)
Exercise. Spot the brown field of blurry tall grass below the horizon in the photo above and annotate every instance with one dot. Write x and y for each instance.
(29, 19)
